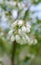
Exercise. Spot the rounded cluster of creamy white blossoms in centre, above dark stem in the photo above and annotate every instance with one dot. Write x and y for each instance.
(19, 31)
